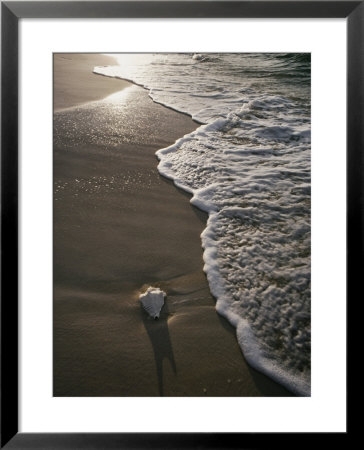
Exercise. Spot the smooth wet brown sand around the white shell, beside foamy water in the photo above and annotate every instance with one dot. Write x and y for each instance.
(120, 227)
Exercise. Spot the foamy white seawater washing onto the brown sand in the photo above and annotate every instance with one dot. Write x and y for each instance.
(248, 167)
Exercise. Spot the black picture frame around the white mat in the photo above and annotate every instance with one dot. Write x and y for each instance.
(11, 12)
